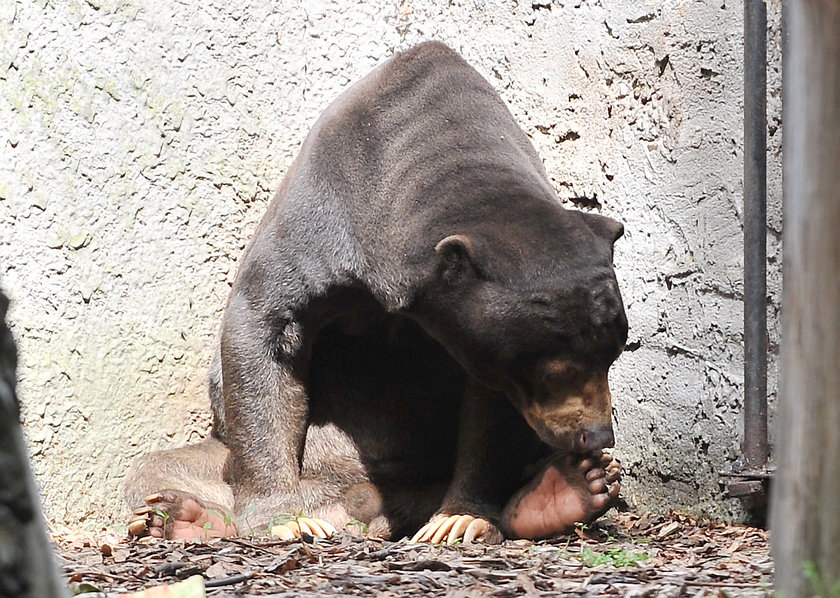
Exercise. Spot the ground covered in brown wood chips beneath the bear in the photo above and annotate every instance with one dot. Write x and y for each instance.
(624, 554)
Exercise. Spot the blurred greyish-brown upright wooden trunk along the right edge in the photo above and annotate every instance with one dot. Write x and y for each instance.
(806, 503)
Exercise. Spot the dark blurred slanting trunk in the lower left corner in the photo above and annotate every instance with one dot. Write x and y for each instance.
(27, 568)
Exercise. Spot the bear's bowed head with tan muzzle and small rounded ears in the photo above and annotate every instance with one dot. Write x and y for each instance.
(533, 309)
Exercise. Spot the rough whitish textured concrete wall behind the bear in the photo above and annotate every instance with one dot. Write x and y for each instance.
(140, 141)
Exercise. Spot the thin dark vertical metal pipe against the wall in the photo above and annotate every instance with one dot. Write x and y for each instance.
(755, 240)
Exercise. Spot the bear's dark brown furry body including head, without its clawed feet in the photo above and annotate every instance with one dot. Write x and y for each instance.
(414, 297)
